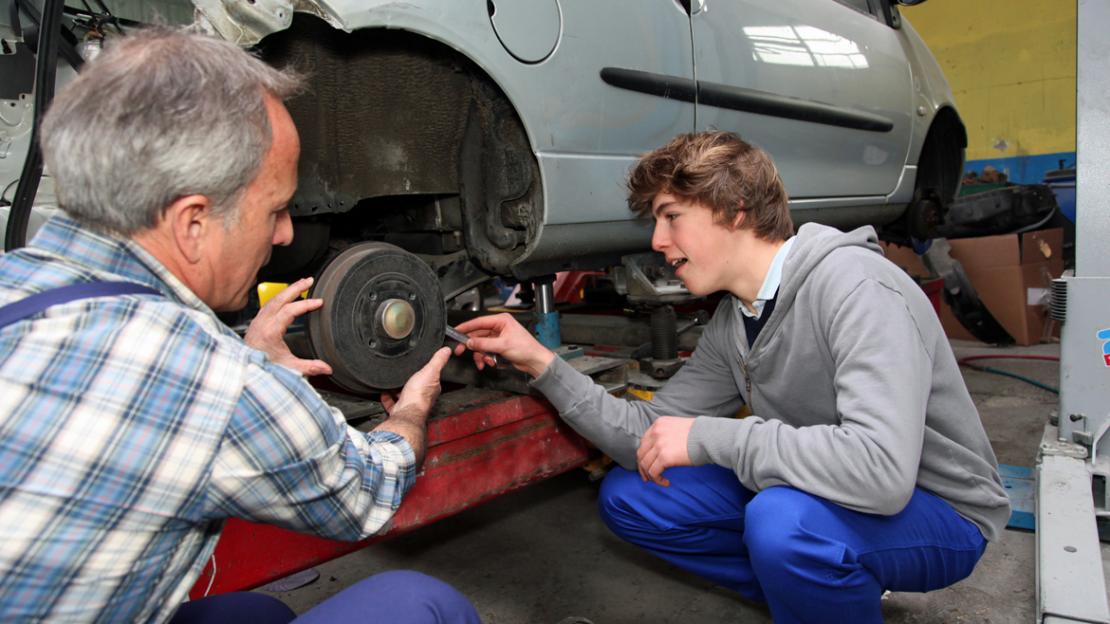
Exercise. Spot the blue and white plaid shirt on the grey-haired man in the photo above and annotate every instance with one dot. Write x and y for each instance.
(132, 427)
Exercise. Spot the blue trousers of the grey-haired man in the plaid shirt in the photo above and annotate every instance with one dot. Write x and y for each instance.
(390, 598)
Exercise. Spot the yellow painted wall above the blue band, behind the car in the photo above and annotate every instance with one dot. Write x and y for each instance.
(1012, 66)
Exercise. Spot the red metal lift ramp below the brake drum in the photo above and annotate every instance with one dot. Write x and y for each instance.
(482, 444)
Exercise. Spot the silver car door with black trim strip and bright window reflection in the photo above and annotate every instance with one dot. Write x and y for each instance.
(822, 85)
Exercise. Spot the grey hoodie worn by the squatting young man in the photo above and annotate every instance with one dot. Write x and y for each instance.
(855, 392)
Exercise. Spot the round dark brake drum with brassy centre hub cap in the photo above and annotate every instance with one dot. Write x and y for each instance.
(382, 320)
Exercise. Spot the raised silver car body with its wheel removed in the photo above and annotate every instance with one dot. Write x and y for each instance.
(495, 137)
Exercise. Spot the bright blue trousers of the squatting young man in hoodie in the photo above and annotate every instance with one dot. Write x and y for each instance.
(809, 559)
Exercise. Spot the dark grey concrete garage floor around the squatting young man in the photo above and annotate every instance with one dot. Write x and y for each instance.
(541, 555)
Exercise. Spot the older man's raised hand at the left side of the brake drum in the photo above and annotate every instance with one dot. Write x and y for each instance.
(267, 333)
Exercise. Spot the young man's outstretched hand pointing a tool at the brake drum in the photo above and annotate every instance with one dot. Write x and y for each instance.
(502, 336)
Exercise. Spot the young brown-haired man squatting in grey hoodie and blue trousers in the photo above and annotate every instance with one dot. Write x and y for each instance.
(865, 467)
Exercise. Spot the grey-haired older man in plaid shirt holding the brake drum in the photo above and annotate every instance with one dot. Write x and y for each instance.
(133, 422)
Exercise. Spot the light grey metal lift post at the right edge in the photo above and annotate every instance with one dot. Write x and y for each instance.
(1073, 464)
